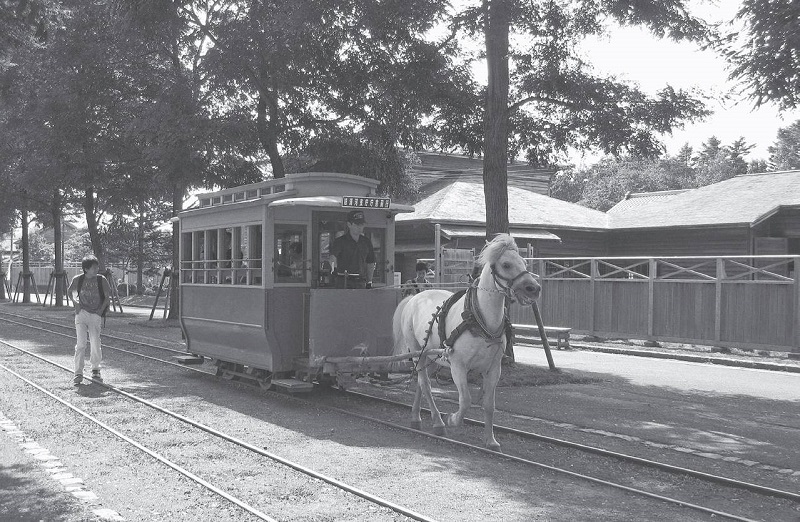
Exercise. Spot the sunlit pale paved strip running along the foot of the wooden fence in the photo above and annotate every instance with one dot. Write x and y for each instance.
(679, 375)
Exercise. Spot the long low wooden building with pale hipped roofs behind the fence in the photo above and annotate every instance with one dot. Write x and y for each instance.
(754, 214)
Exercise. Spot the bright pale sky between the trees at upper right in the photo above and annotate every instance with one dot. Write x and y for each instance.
(634, 55)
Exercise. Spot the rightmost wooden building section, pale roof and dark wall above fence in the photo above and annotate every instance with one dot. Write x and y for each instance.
(753, 214)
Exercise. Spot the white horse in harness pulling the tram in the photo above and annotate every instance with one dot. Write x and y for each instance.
(475, 343)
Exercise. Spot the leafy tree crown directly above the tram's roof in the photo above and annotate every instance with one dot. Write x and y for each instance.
(311, 70)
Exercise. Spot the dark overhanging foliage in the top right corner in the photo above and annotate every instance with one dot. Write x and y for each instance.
(763, 49)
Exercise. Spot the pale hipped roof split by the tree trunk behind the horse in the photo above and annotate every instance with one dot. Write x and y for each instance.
(463, 203)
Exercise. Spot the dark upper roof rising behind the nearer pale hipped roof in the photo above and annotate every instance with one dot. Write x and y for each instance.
(437, 170)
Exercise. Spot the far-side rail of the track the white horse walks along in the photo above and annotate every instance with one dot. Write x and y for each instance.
(608, 453)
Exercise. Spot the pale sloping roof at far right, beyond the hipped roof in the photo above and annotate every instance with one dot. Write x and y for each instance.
(744, 200)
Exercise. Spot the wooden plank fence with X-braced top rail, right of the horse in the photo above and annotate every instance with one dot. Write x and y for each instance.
(736, 301)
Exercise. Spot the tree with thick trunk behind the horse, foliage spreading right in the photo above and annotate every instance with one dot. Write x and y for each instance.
(544, 97)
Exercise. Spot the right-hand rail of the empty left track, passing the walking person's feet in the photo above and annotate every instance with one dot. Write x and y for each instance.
(272, 456)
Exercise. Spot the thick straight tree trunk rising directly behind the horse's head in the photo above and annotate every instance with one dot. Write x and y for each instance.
(495, 137)
